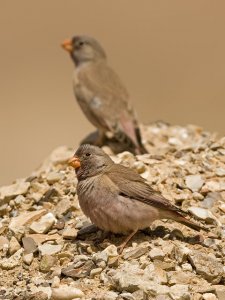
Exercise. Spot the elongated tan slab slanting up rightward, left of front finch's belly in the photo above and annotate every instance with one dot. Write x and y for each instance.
(25, 219)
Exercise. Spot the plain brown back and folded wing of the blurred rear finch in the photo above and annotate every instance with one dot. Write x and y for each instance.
(108, 100)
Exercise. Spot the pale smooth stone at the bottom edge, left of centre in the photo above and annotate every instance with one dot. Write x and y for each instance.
(66, 292)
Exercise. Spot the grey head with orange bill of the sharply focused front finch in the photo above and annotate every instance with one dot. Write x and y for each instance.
(89, 161)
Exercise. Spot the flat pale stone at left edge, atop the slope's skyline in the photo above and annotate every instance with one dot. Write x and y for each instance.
(19, 188)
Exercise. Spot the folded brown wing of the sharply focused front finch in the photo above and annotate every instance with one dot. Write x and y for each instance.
(132, 185)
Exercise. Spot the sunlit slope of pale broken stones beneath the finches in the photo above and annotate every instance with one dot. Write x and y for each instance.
(46, 254)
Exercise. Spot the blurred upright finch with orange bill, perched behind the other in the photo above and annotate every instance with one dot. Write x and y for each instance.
(101, 95)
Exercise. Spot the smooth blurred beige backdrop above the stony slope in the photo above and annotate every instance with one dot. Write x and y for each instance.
(170, 55)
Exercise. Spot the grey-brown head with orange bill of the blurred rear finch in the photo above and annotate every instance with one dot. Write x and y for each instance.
(84, 49)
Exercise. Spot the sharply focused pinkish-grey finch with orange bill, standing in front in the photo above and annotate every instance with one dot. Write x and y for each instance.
(116, 198)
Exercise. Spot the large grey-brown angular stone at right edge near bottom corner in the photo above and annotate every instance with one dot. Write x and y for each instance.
(210, 268)
